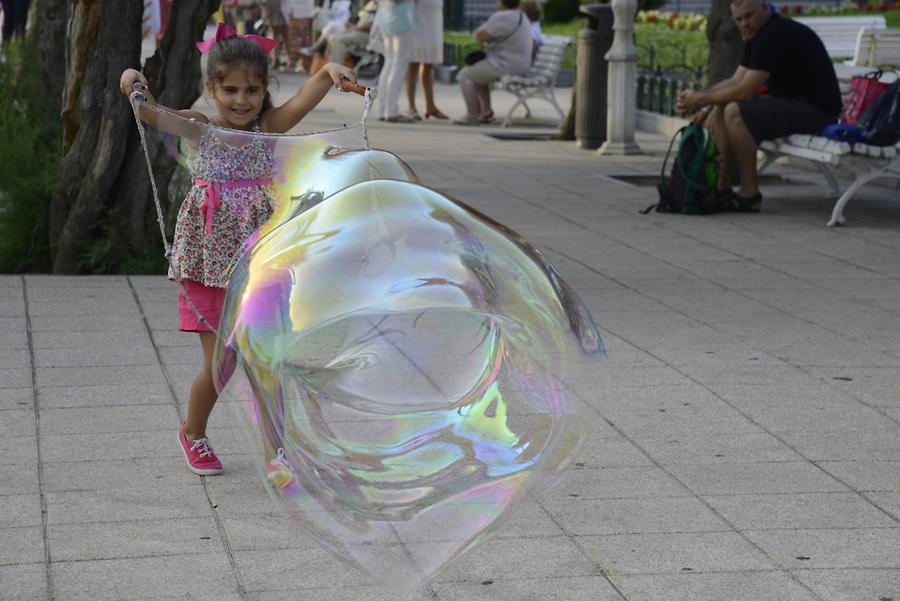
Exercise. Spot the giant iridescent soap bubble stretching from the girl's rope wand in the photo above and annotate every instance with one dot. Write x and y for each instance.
(401, 361)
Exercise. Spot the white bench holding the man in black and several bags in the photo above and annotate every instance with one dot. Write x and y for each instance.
(865, 163)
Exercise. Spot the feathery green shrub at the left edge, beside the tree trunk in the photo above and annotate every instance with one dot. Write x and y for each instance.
(29, 161)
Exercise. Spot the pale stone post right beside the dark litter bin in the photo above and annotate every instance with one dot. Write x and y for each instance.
(621, 109)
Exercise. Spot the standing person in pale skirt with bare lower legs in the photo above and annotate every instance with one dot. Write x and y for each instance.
(427, 52)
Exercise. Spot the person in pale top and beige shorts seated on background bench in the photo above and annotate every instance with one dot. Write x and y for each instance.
(508, 50)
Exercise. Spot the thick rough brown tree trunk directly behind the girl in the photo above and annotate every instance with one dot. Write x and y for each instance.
(103, 189)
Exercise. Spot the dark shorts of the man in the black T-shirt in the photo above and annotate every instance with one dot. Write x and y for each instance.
(769, 117)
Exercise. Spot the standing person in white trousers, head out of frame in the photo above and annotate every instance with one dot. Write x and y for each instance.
(396, 21)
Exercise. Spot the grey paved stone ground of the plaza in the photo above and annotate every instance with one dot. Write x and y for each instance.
(744, 442)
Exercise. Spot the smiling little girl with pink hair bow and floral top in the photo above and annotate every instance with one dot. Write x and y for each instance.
(207, 233)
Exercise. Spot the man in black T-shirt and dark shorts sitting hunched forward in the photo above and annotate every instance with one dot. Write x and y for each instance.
(802, 96)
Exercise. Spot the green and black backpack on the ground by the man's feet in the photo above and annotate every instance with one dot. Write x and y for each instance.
(691, 188)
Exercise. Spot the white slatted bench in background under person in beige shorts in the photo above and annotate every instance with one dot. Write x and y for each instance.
(540, 81)
